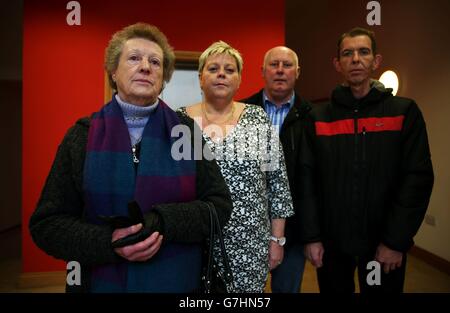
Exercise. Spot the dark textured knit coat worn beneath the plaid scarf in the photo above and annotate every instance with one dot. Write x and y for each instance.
(59, 227)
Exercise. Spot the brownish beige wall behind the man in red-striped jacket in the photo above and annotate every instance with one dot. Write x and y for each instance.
(414, 39)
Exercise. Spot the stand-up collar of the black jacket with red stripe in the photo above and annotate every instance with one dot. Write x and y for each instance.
(342, 95)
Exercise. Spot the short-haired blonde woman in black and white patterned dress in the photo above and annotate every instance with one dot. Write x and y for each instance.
(240, 137)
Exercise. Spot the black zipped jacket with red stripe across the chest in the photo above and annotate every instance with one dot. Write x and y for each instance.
(366, 171)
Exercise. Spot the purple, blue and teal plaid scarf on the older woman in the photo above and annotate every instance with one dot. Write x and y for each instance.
(110, 182)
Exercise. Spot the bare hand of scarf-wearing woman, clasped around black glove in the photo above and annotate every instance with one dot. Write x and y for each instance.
(141, 251)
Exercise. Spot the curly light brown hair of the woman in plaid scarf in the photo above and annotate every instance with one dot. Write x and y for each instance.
(138, 30)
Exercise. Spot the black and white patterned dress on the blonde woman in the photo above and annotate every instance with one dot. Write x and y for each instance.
(252, 164)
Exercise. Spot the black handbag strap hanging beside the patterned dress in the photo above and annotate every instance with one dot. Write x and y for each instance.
(216, 231)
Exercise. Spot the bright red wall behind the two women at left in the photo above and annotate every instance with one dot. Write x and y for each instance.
(63, 69)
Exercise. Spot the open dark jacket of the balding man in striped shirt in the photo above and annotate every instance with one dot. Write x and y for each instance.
(290, 137)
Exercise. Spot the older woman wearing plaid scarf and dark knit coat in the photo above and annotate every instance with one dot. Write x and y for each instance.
(121, 158)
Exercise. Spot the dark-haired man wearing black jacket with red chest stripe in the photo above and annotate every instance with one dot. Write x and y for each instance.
(367, 171)
